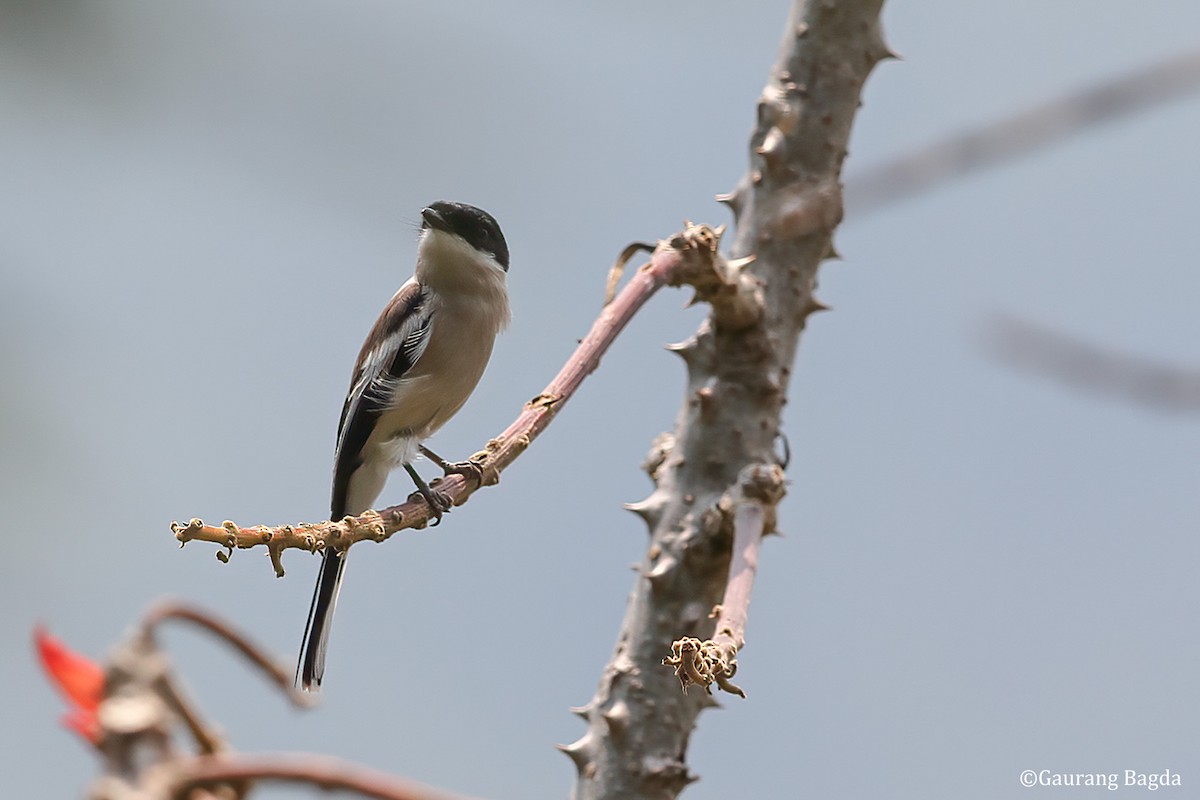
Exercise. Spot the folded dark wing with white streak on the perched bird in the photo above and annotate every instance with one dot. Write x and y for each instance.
(394, 346)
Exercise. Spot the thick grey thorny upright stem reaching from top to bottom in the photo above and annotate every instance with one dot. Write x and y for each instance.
(739, 369)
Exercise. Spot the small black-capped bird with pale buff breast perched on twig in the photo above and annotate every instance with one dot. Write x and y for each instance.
(421, 363)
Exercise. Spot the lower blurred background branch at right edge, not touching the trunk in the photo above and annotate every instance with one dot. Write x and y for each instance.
(1081, 365)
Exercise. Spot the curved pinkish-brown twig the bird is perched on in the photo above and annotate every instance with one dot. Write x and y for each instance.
(691, 257)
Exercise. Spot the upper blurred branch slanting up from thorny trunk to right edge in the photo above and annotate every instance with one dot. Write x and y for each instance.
(1019, 135)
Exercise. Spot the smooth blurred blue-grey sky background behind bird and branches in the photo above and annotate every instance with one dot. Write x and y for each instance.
(205, 206)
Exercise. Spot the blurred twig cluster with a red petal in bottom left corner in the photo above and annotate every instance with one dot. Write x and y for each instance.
(134, 709)
